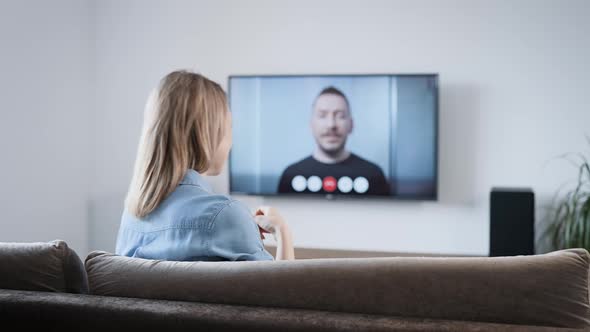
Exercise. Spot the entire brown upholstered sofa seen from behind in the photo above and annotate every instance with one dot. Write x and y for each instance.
(546, 292)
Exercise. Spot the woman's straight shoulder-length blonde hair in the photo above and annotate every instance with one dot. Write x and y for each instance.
(183, 126)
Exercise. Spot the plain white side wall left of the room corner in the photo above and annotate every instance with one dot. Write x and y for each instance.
(45, 85)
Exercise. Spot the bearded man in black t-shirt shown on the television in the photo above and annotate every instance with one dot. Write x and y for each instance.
(332, 168)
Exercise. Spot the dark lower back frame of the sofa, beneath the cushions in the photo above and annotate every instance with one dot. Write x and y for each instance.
(78, 312)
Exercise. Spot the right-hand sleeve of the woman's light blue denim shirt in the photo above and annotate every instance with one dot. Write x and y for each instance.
(235, 235)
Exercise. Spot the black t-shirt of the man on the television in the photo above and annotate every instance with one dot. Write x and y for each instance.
(363, 177)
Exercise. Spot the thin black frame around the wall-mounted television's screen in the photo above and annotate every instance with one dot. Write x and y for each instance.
(316, 196)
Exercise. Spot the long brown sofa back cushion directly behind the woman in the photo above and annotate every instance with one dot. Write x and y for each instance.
(547, 290)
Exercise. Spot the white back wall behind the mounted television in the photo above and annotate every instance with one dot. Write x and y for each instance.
(514, 76)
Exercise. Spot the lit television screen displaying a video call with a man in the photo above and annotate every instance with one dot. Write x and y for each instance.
(335, 135)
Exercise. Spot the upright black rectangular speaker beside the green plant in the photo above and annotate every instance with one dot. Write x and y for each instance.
(512, 221)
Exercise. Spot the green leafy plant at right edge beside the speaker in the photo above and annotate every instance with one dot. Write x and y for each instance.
(569, 224)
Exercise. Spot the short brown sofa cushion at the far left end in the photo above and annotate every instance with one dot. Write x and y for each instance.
(42, 266)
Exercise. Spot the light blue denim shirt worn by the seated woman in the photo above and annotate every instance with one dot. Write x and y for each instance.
(193, 224)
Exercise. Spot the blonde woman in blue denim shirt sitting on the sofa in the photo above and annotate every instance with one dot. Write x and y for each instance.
(170, 212)
